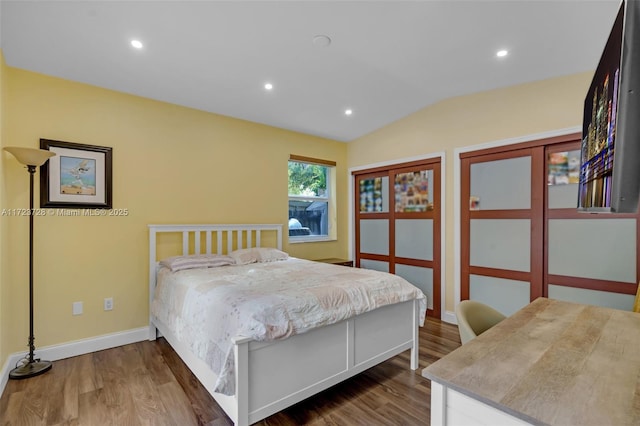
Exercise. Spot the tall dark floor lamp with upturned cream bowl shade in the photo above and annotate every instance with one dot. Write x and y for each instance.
(31, 158)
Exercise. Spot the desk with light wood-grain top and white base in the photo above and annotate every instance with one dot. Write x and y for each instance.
(552, 362)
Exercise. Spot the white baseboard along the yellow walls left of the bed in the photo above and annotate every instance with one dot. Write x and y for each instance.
(75, 348)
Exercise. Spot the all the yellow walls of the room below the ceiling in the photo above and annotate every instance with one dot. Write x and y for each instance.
(174, 164)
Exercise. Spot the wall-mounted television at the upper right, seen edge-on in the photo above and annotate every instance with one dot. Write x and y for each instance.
(610, 152)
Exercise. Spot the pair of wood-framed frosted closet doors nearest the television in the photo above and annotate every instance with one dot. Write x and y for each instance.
(522, 236)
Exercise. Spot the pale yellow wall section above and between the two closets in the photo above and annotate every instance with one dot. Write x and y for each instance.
(495, 115)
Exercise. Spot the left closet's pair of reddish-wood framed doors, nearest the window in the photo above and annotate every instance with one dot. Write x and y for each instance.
(398, 225)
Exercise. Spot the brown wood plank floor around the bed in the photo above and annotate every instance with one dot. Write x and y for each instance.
(146, 383)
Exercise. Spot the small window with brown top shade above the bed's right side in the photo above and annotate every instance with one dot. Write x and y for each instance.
(311, 199)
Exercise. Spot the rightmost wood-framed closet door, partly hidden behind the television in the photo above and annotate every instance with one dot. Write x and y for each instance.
(591, 258)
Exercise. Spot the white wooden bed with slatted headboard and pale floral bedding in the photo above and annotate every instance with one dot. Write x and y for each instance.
(264, 375)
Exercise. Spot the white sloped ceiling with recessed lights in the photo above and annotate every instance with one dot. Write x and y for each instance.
(386, 60)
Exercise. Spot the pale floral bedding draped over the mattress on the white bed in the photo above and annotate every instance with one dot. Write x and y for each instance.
(205, 308)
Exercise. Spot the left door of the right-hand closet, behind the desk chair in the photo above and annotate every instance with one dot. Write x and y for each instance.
(501, 228)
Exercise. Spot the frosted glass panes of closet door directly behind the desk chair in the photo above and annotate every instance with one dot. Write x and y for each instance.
(499, 242)
